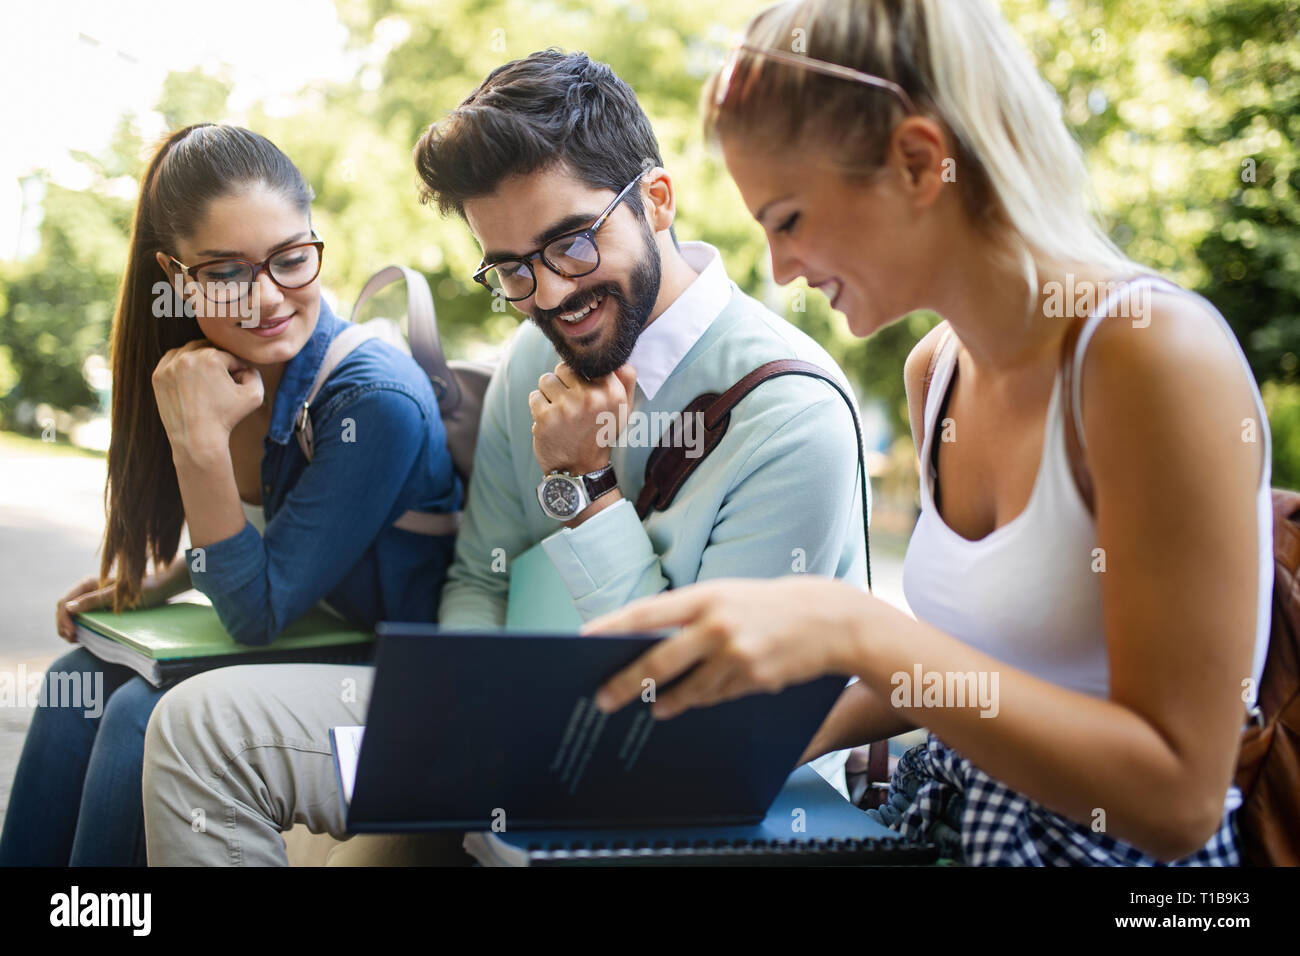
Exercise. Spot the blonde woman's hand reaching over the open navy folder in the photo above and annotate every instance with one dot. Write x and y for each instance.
(740, 637)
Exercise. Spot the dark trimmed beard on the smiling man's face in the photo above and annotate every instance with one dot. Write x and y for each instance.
(631, 314)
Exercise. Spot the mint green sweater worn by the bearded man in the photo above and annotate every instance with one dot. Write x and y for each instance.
(779, 495)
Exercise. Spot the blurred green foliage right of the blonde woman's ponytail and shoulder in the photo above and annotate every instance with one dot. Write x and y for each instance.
(1190, 115)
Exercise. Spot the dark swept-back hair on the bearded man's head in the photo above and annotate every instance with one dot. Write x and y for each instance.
(531, 115)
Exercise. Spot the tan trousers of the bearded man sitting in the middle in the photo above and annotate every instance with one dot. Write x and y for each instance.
(239, 755)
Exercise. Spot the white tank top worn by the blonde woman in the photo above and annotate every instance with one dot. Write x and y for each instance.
(1026, 594)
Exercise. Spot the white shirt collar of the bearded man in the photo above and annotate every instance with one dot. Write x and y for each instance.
(665, 343)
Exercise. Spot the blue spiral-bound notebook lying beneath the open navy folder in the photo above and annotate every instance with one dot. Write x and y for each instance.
(808, 820)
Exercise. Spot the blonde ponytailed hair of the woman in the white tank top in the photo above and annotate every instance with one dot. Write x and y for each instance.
(1021, 174)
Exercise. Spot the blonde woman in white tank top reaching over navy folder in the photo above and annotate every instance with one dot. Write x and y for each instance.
(913, 158)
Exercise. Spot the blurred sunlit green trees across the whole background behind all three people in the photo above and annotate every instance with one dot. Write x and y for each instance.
(1188, 111)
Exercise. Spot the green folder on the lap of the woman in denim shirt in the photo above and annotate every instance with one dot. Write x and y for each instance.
(176, 641)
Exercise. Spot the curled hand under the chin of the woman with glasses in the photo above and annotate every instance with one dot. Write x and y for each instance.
(202, 395)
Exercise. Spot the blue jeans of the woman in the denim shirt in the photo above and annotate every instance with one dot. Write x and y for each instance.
(76, 797)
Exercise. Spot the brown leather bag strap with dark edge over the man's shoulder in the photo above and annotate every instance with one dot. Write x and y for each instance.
(669, 466)
